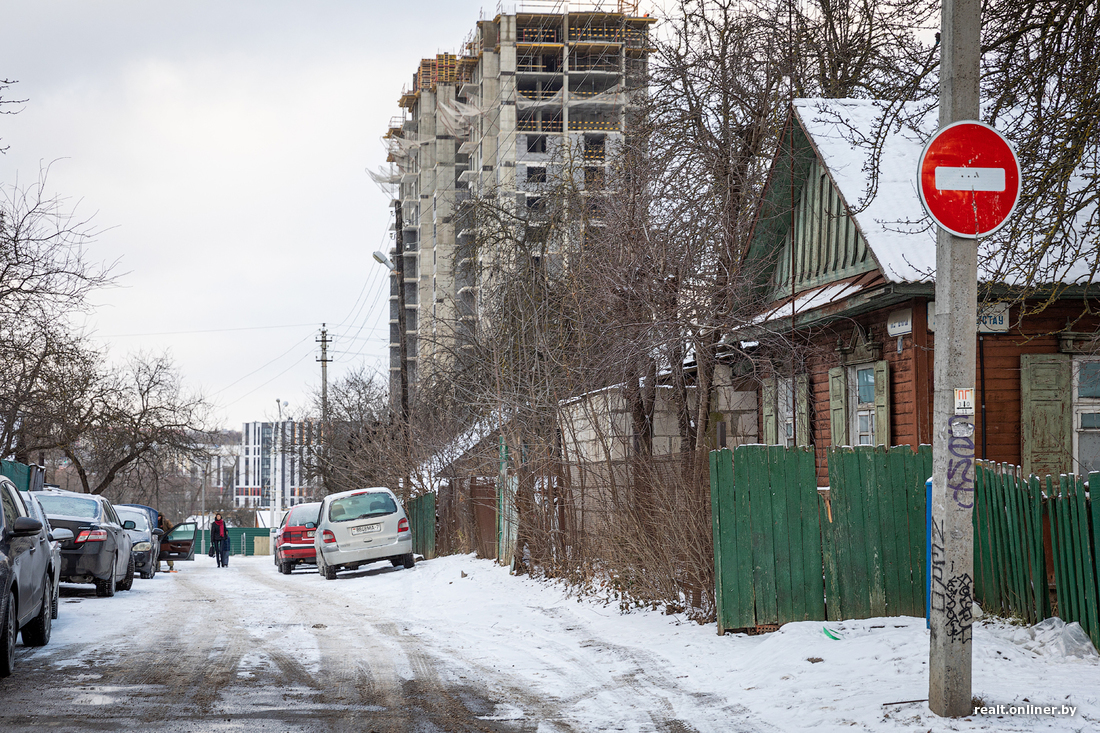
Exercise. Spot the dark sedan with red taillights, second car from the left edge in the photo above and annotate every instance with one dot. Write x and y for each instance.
(101, 551)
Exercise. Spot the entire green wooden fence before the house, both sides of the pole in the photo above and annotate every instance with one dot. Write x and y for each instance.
(1037, 541)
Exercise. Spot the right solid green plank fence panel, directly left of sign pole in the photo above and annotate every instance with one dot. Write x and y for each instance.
(875, 542)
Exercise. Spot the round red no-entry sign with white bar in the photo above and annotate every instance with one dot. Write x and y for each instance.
(970, 179)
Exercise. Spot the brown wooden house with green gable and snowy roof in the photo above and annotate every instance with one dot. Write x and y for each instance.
(849, 264)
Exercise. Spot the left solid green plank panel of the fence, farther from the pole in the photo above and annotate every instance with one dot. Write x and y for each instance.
(767, 537)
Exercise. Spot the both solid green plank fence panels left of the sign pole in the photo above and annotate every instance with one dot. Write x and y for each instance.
(786, 552)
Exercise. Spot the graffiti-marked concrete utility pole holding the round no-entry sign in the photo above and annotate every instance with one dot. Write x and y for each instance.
(953, 472)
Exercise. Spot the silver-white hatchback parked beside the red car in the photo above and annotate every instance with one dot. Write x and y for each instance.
(362, 527)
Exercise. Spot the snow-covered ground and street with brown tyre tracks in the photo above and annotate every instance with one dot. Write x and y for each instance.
(520, 655)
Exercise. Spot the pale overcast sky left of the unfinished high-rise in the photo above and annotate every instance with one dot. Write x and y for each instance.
(222, 148)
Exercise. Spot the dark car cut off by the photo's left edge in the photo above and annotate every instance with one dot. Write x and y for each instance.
(26, 605)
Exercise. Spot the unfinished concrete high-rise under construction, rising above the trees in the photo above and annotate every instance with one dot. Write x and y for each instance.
(493, 121)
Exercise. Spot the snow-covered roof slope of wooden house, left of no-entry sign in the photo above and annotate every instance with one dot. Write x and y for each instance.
(898, 232)
